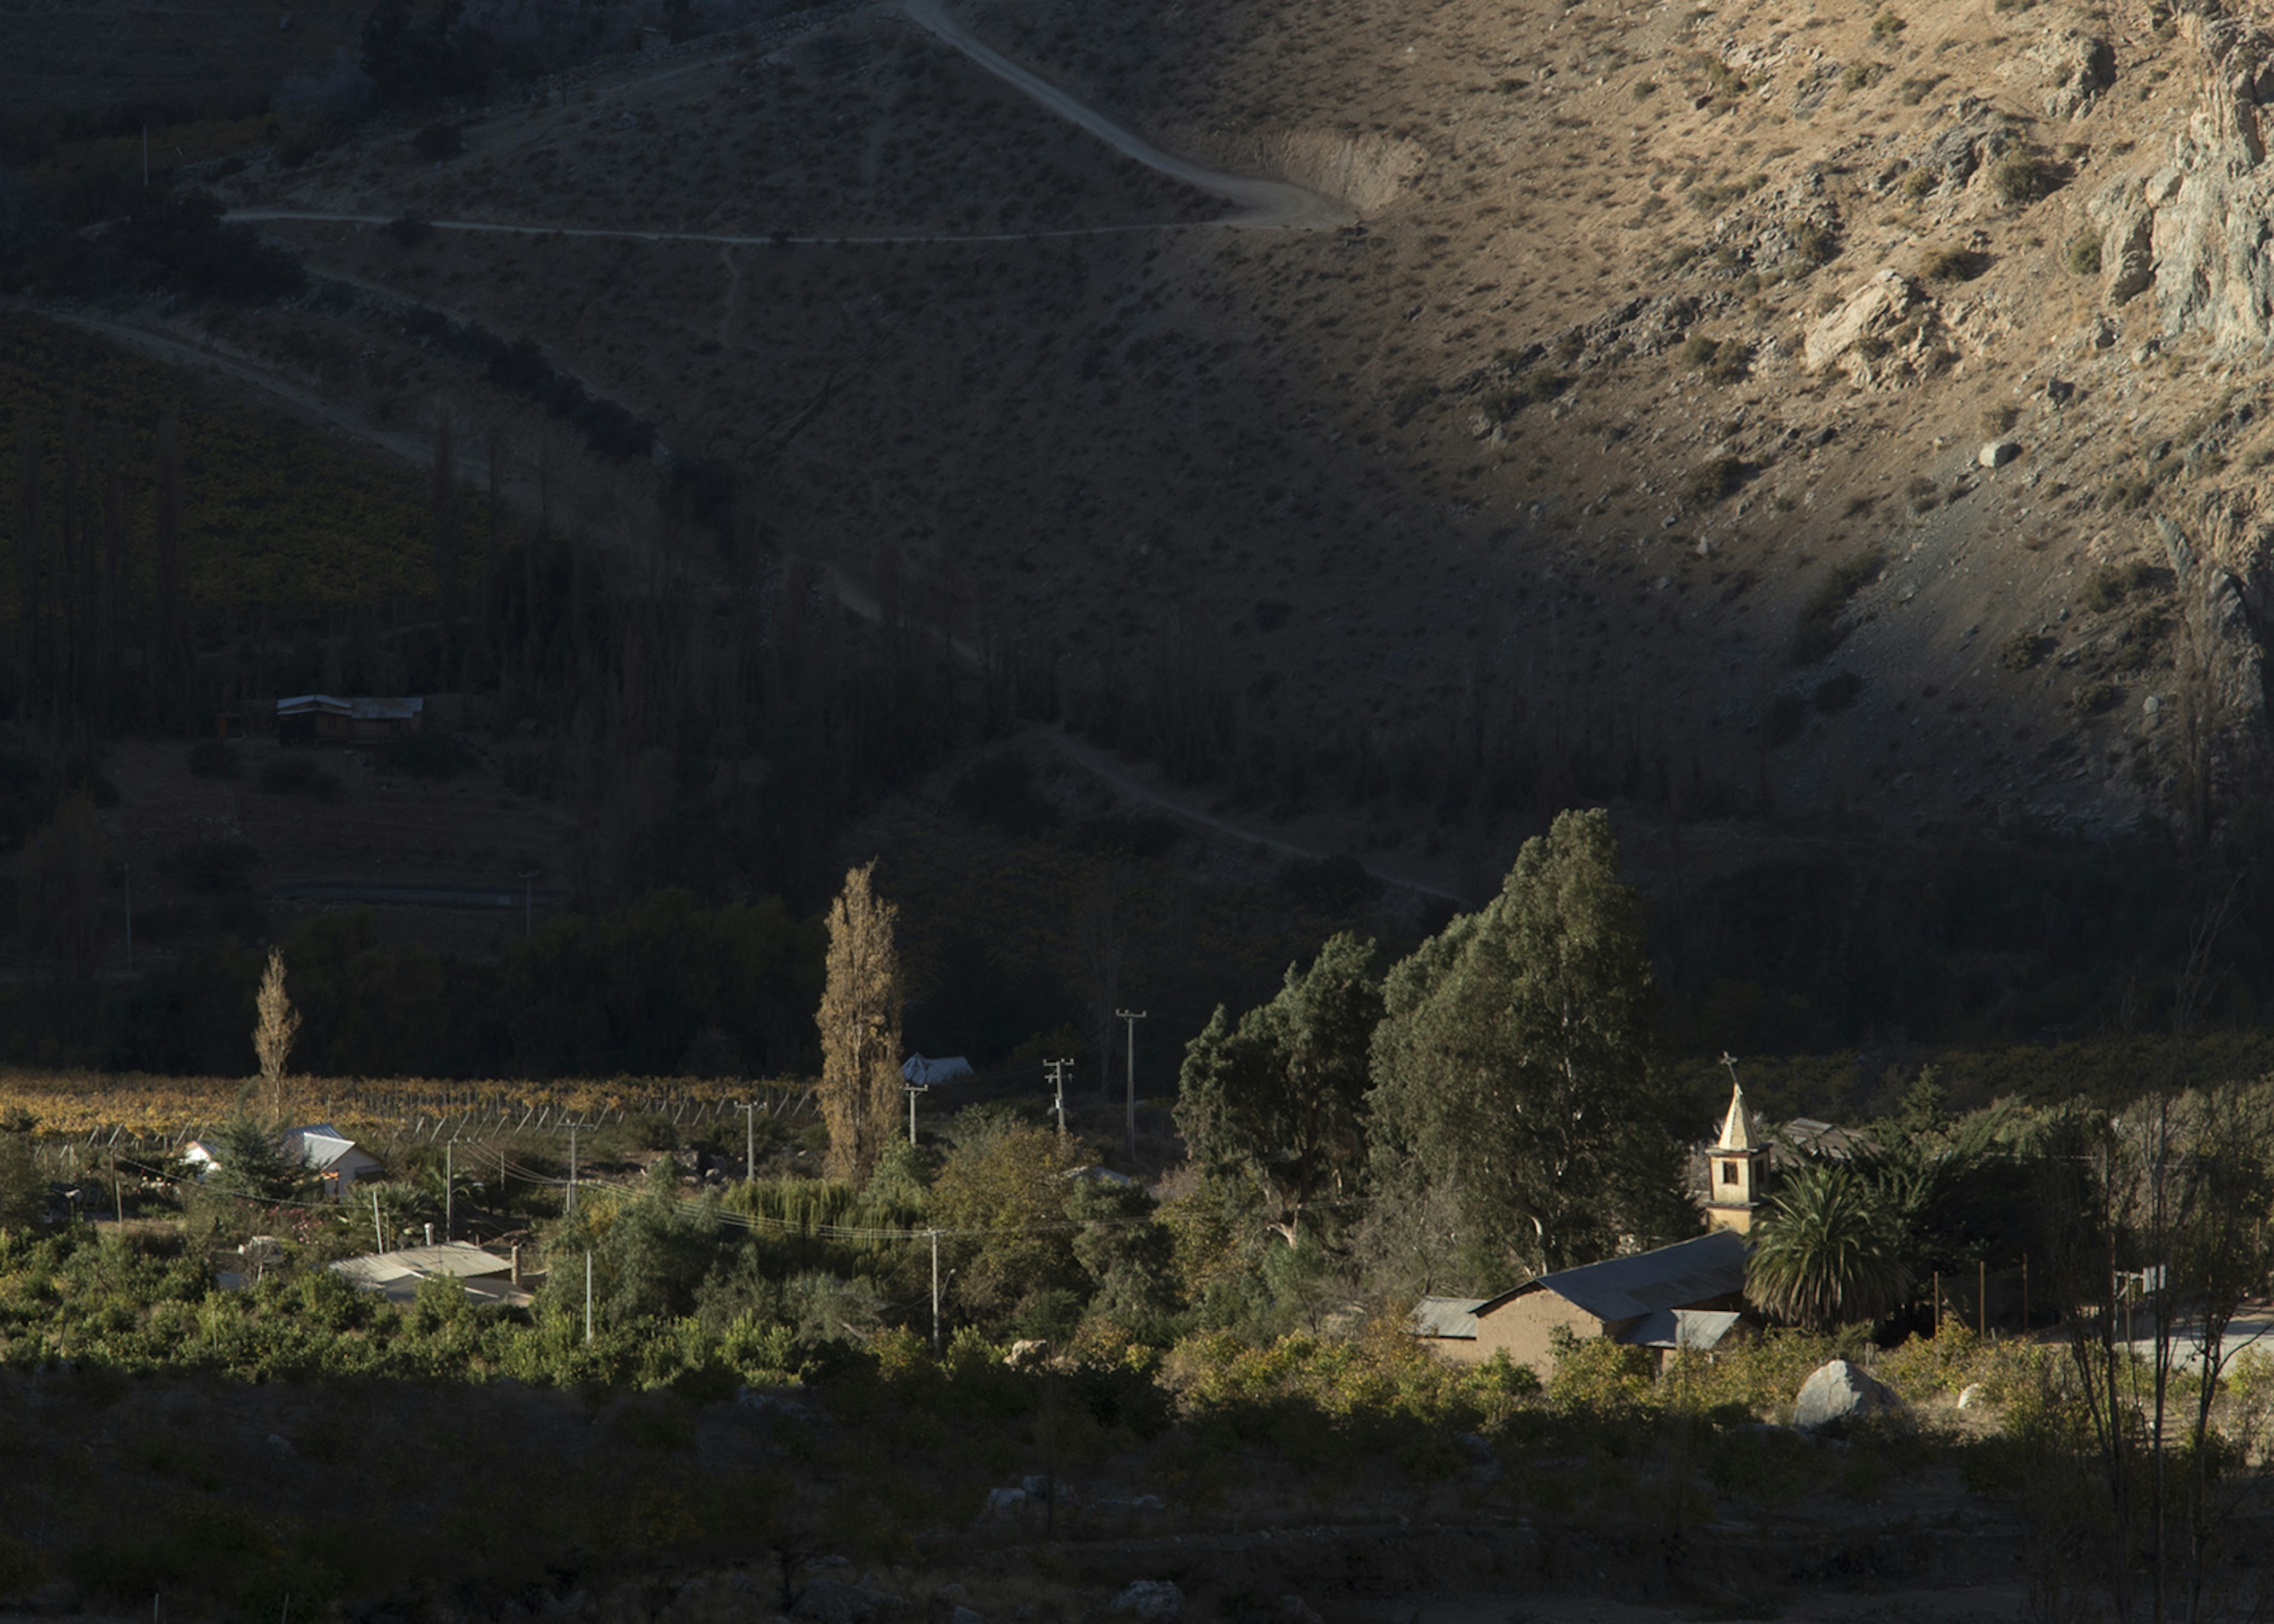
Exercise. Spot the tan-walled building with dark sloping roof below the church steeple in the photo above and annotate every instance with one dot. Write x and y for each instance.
(1677, 1298)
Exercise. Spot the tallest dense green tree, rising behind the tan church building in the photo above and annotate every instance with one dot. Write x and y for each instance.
(1513, 1075)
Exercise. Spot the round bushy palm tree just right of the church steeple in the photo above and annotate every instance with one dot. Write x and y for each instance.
(1827, 1252)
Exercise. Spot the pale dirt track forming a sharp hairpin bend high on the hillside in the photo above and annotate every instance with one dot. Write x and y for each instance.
(1263, 204)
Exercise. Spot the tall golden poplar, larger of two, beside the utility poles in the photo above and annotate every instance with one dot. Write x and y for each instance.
(861, 1029)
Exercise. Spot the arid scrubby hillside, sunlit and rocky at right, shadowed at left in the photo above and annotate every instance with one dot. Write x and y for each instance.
(1732, 413)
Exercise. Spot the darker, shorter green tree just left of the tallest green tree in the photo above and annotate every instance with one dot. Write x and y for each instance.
(1279, 1102)
